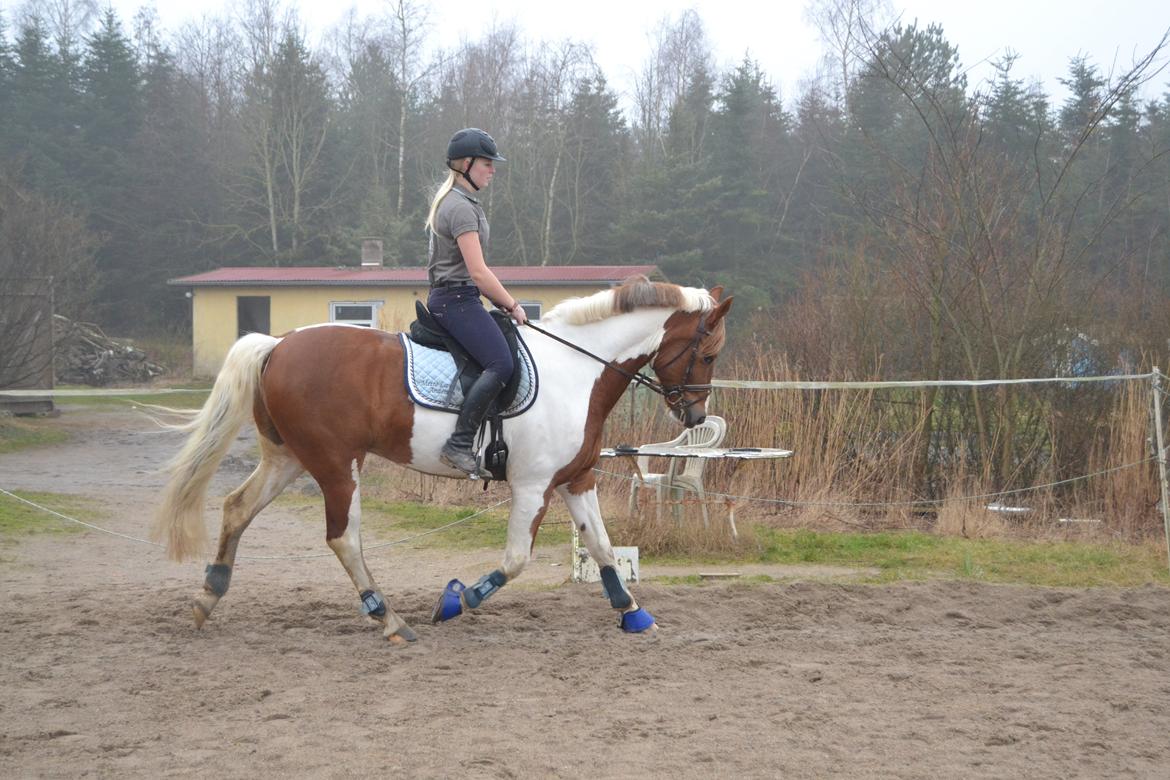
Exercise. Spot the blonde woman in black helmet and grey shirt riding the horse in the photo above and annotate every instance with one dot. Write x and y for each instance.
(459, 277)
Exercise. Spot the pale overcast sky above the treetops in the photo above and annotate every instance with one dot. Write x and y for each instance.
(1045, 33)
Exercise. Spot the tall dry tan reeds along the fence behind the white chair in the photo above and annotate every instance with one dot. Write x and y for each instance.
(862, 464)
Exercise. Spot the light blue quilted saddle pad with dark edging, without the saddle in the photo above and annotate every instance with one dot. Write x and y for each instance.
(432, 383)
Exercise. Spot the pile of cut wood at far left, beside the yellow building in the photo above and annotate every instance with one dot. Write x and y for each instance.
(86, 356)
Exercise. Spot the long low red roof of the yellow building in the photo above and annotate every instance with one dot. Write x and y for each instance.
(382, 277)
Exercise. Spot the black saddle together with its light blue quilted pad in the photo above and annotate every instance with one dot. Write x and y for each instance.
(439, 371)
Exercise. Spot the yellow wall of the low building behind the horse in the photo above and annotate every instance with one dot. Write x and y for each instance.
(215, 310)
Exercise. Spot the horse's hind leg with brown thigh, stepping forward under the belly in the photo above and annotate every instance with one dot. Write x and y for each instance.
(343, 535)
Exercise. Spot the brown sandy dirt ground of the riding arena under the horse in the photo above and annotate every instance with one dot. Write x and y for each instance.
(105, 673)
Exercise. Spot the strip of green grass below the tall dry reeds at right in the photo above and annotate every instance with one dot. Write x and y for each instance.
(916, 556)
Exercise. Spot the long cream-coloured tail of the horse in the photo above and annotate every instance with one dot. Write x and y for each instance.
(180, 520)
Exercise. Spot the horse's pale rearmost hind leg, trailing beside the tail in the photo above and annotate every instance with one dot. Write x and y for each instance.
(278, 468)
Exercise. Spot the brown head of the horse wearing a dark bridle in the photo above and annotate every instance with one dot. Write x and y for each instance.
(686, 358)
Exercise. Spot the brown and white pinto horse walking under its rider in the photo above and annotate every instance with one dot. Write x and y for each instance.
(324, 397)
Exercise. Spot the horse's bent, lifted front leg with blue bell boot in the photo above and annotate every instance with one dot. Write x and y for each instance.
(528, 509)
